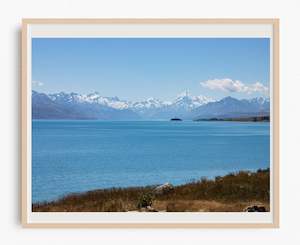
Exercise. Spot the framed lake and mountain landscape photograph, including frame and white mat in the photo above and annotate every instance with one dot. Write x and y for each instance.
(150, 123)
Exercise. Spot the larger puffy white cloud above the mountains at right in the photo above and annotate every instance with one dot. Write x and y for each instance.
(229, 85)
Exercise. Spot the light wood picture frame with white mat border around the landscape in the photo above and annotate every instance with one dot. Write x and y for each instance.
(147, 28)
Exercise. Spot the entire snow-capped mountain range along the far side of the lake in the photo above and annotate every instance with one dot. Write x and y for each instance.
(95, 106)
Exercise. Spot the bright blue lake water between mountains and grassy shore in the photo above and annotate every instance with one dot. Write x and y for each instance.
(76, 156)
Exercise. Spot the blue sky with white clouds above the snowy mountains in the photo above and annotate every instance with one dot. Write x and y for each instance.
(138, 68)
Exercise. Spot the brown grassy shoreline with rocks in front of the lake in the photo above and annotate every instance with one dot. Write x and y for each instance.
(230, 193)
